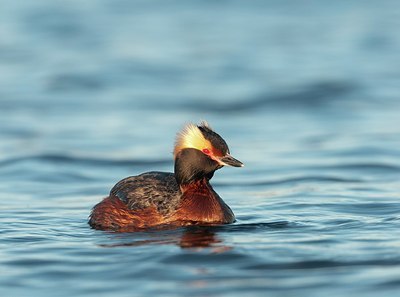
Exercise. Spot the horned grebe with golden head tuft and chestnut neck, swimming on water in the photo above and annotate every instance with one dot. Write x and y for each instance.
(182, 198)
